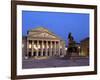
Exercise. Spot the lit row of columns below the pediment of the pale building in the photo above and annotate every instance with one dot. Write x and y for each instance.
(42, 48)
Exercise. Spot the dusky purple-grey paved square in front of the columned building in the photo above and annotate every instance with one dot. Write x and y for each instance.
(54, 62)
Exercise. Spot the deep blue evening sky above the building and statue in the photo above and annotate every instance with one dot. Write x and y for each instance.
(57, 22)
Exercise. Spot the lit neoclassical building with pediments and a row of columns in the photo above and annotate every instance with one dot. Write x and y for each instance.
(41, 42)
